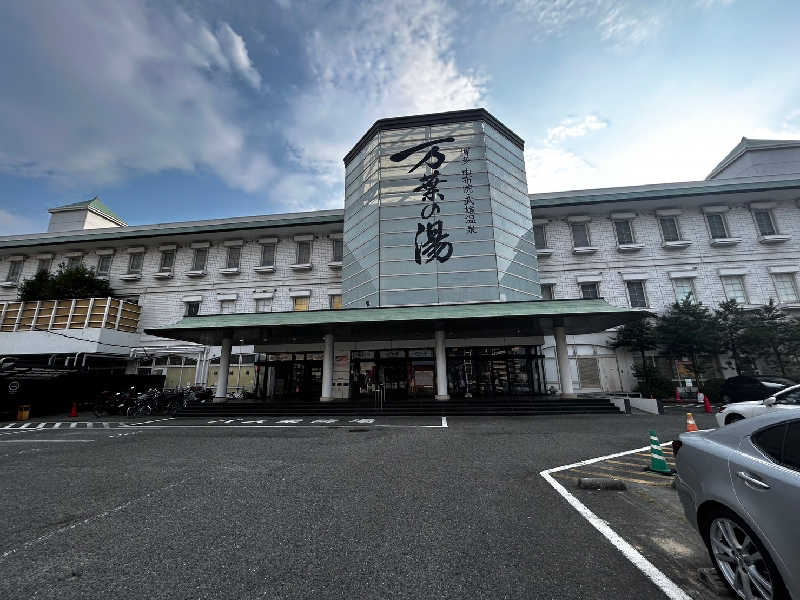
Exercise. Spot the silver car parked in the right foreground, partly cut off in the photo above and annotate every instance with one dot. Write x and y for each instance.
(740, 488)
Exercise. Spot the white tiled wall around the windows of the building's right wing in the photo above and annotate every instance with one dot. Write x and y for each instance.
(756, 258)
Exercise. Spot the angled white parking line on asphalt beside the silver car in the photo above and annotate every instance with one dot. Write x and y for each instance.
(664, 583)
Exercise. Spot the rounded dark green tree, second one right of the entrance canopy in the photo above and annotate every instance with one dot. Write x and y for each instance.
(688, 329)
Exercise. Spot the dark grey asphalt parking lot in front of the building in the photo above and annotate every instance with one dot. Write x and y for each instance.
(390, 509)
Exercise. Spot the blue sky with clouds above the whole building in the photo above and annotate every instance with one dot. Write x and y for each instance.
(202, 109)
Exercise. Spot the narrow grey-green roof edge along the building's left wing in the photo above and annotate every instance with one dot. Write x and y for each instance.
(301, 219)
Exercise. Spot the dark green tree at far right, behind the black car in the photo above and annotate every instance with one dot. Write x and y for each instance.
(772, 333)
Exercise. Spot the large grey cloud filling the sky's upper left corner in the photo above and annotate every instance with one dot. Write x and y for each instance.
(107, 90)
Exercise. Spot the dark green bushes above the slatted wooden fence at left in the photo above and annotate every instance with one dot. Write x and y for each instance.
(68, 282)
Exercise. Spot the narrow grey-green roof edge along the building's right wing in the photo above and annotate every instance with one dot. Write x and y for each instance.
(662, 191)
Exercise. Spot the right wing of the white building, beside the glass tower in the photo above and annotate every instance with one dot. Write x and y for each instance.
(734, 235)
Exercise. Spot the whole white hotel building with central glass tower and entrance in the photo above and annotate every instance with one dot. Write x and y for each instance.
(243, 281)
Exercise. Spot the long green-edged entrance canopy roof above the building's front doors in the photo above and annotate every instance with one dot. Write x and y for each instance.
(487, 319)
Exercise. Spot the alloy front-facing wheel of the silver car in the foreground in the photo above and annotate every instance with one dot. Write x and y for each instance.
(740, 558)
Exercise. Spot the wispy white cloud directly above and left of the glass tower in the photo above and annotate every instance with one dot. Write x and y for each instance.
(369, 62)
